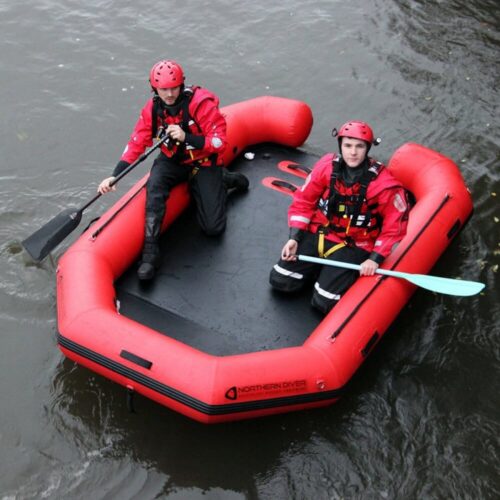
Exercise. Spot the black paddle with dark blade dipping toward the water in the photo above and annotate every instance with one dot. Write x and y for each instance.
(43, 241)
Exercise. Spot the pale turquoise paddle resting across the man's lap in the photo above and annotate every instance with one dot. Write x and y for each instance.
(434, 283)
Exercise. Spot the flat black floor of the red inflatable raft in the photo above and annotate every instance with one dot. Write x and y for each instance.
(213, 293)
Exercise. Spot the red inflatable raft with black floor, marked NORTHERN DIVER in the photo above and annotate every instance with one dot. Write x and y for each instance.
(208, 338)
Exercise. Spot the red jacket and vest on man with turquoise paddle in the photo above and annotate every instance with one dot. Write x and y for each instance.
(371, 214)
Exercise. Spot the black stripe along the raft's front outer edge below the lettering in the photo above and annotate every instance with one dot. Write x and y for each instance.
(195, 404)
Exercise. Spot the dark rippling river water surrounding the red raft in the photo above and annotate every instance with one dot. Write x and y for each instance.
(421, 419)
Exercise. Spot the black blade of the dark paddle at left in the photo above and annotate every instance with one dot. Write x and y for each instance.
(43, 241)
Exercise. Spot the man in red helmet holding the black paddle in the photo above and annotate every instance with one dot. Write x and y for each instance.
(191, 118)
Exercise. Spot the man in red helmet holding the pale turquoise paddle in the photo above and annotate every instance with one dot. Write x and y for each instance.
(350, 209)
